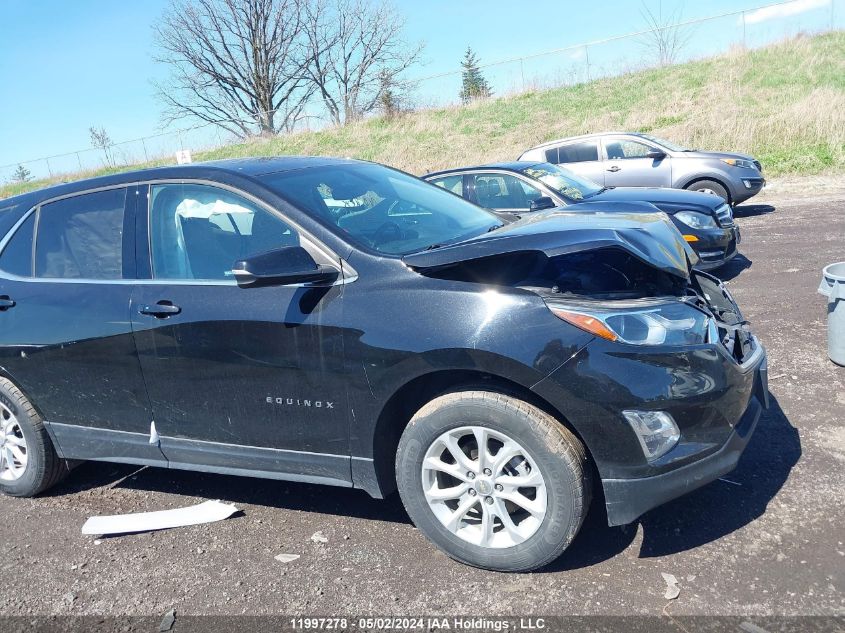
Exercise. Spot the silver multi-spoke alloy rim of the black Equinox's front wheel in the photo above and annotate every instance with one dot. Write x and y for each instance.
(484, 487)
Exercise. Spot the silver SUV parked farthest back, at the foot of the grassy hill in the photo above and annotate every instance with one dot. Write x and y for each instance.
(619, 159)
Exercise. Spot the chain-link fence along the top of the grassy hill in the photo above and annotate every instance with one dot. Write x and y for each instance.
(573, 64)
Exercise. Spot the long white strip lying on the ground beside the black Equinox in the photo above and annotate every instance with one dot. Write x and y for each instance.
(206, 512)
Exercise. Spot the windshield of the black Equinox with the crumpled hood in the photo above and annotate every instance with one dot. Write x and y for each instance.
(380, 208)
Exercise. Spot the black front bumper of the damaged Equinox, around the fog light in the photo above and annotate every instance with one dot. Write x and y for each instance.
(715, 400)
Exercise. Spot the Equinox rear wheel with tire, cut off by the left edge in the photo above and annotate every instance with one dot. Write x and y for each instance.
(35, 466)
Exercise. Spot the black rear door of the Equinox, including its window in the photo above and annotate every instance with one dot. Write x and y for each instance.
(65, 332)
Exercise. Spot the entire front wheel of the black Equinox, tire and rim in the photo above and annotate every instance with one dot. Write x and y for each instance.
(536, 532)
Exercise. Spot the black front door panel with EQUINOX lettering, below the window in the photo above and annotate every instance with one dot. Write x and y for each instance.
(257, 367)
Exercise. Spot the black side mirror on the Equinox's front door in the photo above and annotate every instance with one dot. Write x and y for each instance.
(282, 267)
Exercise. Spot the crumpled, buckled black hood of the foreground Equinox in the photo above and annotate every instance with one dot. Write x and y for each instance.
(649, 237)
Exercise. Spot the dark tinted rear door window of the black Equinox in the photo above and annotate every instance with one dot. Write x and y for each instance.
(81, 237)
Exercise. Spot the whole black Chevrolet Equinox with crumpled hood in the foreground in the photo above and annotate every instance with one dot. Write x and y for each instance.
(339, 322)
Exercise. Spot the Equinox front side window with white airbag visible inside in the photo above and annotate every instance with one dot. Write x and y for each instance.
(200, 231)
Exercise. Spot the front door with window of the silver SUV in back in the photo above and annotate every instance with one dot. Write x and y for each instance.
(628, 165)
